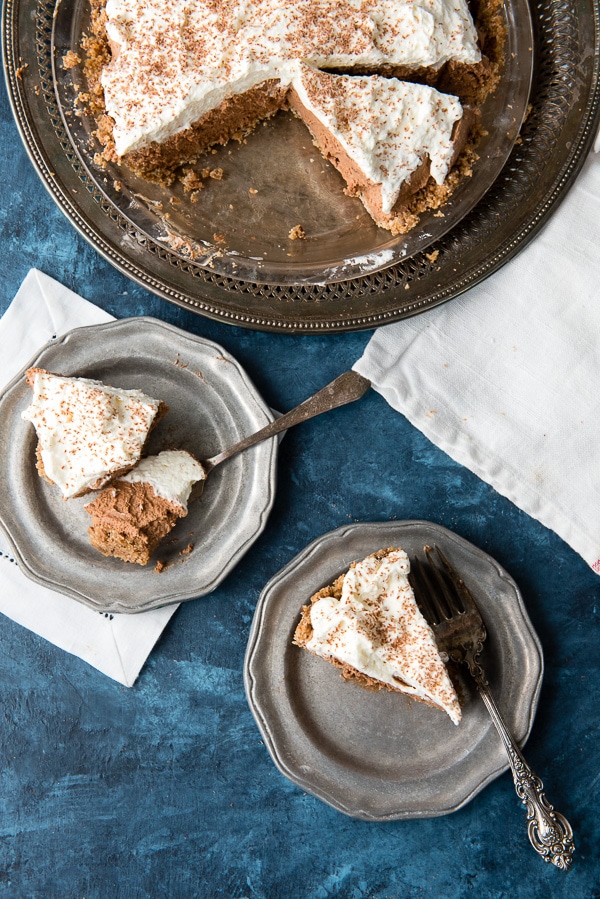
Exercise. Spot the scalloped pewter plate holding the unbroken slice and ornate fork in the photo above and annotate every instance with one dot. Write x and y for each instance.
(382, 756)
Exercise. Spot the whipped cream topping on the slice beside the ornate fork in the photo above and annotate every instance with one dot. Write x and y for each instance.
(377, 628)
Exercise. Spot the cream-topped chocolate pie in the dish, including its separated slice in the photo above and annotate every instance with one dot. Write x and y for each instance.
(389, 89)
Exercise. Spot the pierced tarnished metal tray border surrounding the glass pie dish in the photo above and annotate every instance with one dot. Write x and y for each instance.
(558, 133)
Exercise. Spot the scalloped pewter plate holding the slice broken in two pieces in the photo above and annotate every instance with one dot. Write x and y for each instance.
(212, 404)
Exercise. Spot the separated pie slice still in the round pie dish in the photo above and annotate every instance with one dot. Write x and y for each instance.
(386, 137)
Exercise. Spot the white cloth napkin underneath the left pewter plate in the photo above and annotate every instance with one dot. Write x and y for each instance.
(117, 645)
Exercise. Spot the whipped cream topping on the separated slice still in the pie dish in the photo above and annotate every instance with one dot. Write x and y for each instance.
(388, 127)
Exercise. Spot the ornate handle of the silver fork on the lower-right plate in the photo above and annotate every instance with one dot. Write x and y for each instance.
(549, 832)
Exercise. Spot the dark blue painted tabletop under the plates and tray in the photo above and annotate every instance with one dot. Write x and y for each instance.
(165, 789)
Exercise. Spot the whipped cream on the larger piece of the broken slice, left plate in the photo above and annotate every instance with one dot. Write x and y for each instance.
(86, 430)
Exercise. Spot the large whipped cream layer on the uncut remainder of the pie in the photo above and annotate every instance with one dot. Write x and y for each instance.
(175, 61)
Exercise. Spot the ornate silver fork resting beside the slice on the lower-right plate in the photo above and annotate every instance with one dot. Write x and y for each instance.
(458, 626)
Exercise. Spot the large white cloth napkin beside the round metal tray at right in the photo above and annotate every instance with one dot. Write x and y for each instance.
(506, 378)
